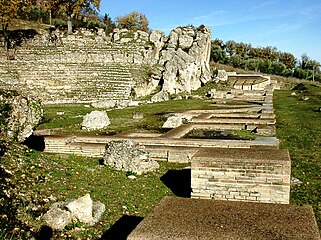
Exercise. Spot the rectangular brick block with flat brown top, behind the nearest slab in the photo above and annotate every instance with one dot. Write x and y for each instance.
(254, 174)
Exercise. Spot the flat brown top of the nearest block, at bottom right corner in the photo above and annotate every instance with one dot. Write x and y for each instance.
(203, 219)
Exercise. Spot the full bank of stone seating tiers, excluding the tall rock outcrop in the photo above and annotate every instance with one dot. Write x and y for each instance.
(73, 73)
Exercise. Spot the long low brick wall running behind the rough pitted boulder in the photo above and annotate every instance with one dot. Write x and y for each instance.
(161, 149)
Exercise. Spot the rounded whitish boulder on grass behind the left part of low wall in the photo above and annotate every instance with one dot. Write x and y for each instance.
(95, 120)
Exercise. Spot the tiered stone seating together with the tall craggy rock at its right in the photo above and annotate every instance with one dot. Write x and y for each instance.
(88, 66)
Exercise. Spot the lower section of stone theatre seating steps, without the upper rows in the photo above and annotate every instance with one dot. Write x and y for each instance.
(70, 82)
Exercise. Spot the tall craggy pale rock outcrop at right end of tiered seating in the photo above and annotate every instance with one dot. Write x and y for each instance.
(186, 59)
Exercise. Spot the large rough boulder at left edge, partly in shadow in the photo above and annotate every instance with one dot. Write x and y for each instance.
(19, 114)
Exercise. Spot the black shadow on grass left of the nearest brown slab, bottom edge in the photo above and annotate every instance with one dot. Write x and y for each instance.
(122, 228)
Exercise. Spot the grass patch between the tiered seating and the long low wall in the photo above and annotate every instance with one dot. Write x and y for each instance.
(121, 119)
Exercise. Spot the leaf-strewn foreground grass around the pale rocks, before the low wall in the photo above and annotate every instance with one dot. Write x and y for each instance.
(46, 178)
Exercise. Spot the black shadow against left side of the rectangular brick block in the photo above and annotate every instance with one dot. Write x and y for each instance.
(178, 181)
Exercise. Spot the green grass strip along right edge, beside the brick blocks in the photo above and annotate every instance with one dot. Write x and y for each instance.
(299, 130)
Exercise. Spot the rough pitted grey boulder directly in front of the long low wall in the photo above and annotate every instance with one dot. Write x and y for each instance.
(128, 155)
